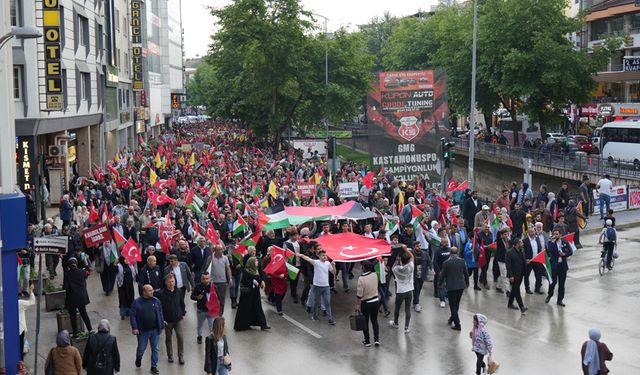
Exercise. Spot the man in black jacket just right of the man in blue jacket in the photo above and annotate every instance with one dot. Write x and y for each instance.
(173, 310)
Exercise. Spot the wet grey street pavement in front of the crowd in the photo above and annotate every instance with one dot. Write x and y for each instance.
(547, 339)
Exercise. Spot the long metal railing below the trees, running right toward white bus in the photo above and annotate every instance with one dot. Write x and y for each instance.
(574, 161)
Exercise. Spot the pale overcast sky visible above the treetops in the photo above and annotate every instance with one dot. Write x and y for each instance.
(199, 25)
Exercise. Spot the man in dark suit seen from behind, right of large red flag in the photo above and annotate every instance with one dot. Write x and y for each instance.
(456, 278)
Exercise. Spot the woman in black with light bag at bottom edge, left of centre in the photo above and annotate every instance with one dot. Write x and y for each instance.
(217, 360)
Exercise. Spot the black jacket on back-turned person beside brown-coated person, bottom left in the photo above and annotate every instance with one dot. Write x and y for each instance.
(95, 344)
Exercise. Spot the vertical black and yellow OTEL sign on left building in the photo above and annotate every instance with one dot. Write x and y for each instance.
(52, 49)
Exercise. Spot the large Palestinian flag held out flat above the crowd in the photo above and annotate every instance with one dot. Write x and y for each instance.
(299, 215)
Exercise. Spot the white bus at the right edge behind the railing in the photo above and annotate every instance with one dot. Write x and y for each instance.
(620, 140)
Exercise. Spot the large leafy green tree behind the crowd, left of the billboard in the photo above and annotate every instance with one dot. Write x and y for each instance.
(268, 68)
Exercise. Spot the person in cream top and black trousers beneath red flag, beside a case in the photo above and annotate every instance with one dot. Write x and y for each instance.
(367, 301)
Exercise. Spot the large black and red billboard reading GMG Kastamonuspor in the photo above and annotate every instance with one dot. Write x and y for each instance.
(408, 114)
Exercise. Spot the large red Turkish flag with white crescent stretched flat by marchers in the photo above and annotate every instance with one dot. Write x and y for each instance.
(351, 247)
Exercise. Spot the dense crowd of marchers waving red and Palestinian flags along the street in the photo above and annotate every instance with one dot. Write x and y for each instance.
(186, 214)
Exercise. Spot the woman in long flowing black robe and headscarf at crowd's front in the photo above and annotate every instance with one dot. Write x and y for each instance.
(249, 312)
